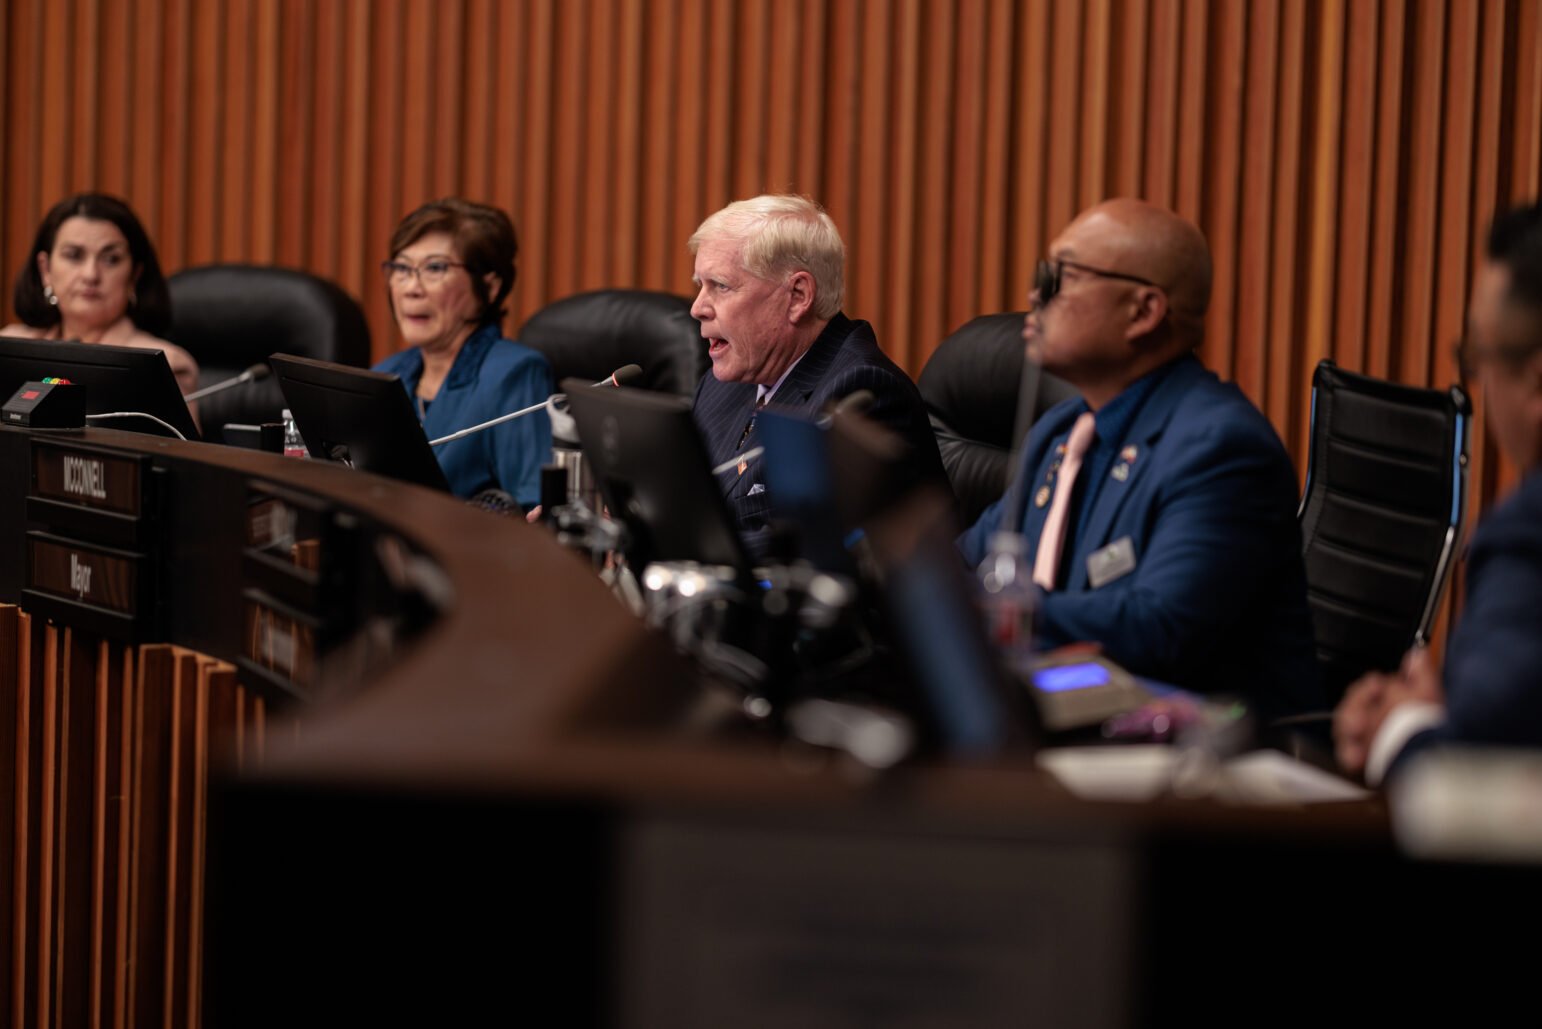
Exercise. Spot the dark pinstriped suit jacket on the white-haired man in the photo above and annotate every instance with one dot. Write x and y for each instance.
(843, 360)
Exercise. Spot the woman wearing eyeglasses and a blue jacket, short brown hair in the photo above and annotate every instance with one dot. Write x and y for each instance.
(449, 274)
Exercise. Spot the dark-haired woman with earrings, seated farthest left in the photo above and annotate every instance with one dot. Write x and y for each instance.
(95, 278)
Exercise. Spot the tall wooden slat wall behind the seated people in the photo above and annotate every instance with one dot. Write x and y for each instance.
(1342, 155)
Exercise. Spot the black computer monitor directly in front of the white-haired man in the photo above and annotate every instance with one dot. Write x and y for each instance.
(655, 474)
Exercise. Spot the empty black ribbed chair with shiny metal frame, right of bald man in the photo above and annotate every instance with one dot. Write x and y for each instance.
(1381, 516)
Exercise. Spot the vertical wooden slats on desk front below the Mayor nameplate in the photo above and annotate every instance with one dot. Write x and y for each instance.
(104, 823)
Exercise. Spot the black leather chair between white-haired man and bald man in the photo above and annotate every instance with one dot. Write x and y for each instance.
(983, 399)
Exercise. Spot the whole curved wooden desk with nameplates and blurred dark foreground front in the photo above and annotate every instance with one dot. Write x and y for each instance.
(335, 751)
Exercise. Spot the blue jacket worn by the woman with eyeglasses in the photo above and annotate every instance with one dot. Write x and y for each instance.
(491, 377)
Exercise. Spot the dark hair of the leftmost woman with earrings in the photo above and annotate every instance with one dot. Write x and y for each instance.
(152, 309)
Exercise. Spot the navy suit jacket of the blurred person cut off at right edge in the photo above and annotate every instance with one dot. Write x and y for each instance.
(1493, 664)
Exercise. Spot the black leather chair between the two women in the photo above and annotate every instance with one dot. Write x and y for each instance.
(235, 315)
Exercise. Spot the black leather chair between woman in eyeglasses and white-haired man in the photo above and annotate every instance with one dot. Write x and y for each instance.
(593, 334)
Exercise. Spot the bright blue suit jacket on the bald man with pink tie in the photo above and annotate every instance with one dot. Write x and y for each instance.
(1217, 598)
